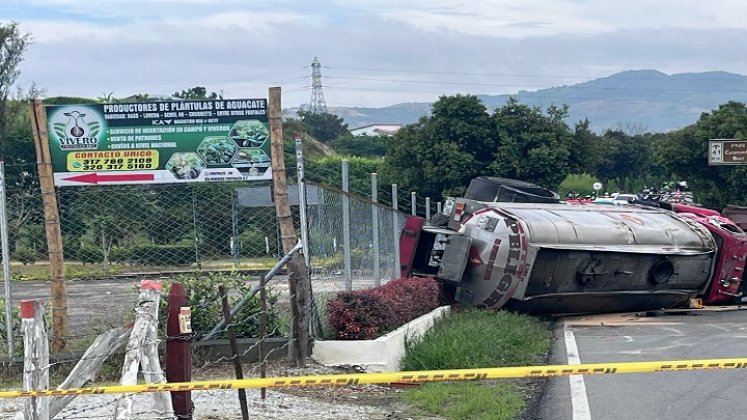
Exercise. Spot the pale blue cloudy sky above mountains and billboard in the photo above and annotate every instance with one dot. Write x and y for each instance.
(373, 53)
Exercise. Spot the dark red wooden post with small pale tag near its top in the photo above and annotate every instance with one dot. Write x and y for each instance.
(179, 351)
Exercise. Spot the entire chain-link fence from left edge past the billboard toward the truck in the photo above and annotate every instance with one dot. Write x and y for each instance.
(124, 229)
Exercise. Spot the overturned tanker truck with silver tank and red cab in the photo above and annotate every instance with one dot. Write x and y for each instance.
(515, 245)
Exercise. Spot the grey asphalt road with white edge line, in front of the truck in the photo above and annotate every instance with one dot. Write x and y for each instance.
(670, 395)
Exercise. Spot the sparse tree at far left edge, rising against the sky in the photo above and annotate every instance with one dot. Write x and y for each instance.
(13, 46)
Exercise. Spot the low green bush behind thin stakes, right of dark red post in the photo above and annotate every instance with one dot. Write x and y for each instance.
(207, 309)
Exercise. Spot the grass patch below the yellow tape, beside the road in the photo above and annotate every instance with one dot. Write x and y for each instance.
(471, 400)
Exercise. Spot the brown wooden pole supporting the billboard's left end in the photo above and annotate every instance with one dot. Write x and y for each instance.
(52, 226)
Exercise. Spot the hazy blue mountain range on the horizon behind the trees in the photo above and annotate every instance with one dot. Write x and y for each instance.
(637, 100)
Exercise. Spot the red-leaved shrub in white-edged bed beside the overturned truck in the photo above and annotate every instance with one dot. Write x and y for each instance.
(366, 314)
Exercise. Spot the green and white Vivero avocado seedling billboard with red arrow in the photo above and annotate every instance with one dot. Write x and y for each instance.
(159, 142)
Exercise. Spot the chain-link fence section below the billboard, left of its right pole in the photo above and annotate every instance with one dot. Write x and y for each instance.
(146, 228)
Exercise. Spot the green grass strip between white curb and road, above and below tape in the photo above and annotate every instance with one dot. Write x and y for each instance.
(476, 339)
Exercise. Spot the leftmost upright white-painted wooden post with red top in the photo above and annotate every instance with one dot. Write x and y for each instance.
(35, 359)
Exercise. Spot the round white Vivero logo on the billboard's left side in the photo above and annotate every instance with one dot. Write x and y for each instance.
(77, 128)
